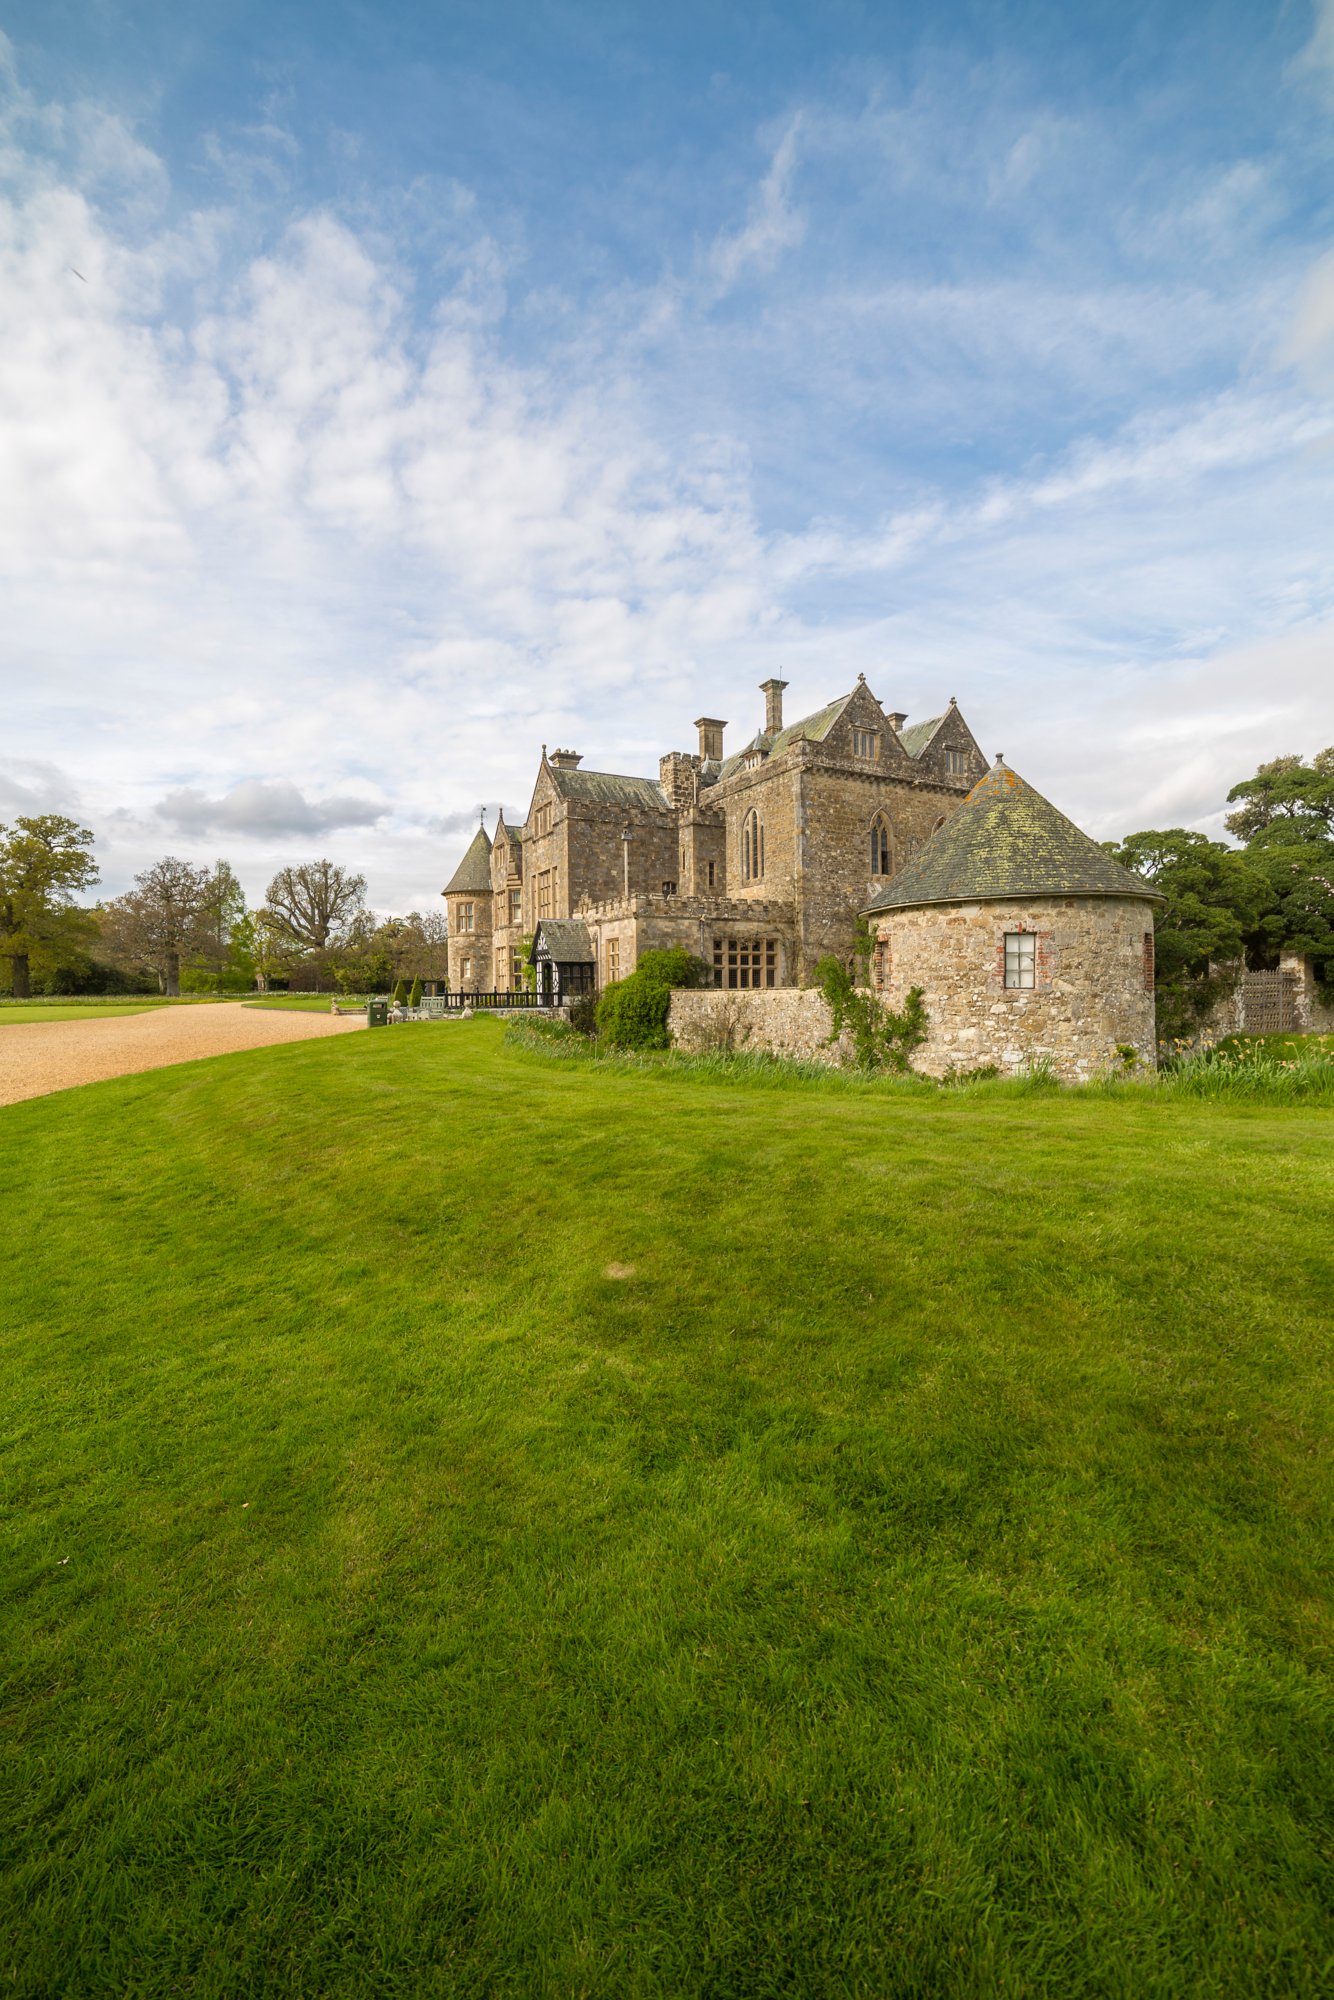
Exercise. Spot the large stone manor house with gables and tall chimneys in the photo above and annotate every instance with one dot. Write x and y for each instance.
(757, 861)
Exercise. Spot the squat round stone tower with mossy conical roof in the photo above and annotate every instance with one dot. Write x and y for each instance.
(1027, 939)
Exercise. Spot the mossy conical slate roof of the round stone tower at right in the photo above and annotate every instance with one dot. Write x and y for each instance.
(1009, 841)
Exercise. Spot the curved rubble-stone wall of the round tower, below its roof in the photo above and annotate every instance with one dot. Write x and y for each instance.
(1093, 983)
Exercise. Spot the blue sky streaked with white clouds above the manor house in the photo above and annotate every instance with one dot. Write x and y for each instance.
(387, 391)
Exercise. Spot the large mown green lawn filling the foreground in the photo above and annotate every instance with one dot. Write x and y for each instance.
(913, 1579)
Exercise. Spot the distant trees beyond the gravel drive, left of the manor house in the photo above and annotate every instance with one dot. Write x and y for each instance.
(187, 929)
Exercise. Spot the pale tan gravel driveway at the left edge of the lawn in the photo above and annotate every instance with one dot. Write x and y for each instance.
(55, 1055)
